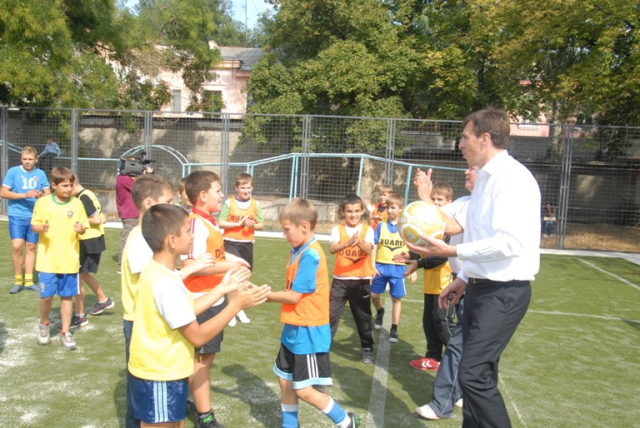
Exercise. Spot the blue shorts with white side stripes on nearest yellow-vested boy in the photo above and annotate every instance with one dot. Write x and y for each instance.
(156, 402)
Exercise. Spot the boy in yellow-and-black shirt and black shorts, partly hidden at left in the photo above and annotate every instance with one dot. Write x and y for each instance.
(92, 245)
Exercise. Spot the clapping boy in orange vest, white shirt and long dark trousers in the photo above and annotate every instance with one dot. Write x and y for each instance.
(352, 242)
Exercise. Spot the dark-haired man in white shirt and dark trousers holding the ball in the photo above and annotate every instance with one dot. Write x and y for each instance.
(500, 255)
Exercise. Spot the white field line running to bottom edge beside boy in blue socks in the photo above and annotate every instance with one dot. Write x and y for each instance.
(375, 417)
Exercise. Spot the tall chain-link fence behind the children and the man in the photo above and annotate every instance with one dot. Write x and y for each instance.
(588, 176)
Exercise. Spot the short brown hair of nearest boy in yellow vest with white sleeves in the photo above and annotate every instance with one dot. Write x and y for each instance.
(161, 221)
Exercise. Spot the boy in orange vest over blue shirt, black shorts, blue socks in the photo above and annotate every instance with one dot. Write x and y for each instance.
(303, 360)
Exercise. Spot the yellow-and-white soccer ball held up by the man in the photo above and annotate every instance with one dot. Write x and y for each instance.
(422, 217)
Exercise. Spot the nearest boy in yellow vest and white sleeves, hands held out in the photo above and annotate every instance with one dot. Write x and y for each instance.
(165, 329)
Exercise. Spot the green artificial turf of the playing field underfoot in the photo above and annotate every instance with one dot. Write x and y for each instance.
(572, 363)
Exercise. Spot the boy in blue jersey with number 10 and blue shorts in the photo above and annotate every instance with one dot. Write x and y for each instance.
(22, 186)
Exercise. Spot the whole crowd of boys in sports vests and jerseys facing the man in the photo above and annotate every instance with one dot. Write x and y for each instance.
(174, 319)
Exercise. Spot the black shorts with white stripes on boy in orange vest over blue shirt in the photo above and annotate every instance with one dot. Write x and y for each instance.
(303, 370)
